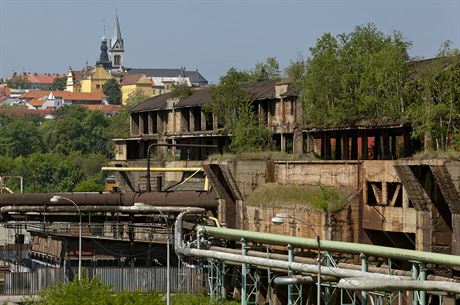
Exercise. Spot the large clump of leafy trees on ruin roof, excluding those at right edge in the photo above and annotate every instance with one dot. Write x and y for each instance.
(355, 75)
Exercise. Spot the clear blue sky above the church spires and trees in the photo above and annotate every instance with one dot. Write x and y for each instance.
(49, 35)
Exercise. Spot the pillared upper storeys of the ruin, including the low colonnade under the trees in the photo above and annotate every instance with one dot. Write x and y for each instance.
(167, 120)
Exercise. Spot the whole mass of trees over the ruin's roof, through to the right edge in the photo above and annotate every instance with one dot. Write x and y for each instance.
(368, 75)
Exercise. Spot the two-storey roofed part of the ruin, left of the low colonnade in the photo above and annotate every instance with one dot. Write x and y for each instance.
(164, 119)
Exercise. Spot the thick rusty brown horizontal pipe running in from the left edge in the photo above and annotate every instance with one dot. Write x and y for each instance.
(180, 198)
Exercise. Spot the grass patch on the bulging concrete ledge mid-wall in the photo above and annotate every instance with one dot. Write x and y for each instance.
(327, 199)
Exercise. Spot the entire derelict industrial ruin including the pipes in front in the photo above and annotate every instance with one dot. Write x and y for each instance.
(393, 239)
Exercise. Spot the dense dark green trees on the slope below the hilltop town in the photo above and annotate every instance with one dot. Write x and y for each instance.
(64, 154)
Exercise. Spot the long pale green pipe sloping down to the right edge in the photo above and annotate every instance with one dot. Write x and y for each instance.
(334, 246)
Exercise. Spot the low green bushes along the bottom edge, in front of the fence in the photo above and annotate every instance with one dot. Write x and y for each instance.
(93, 292)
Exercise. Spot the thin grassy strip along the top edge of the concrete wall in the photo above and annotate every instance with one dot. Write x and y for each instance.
(260, 155)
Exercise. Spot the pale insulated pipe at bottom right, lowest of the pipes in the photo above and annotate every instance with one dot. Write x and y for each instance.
(390, 285)
